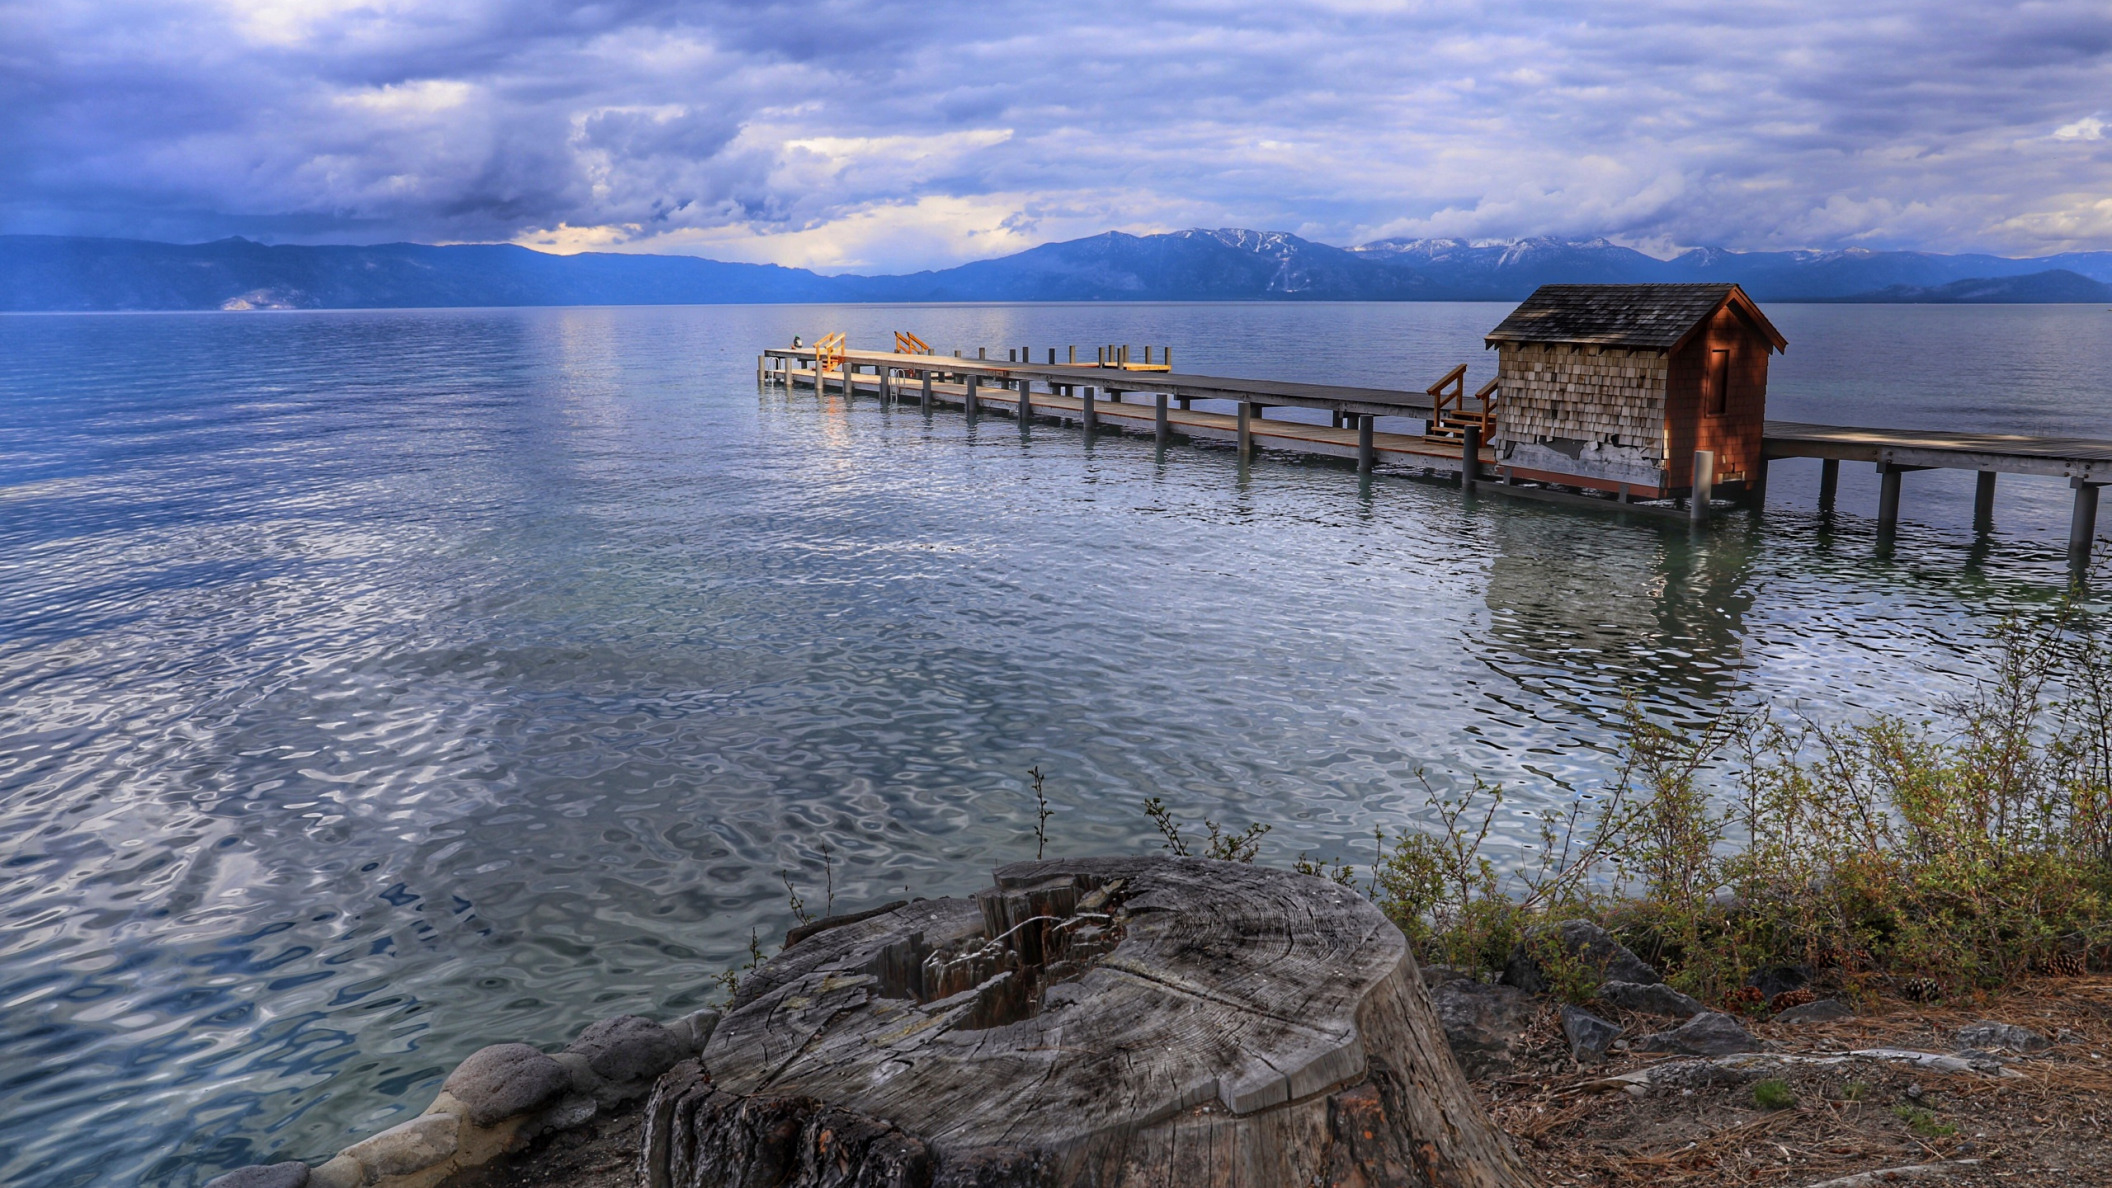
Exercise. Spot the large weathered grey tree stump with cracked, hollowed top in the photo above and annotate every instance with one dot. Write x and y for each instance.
(1097, 1022)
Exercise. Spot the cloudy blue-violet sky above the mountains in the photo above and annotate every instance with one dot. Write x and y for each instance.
(892, 136)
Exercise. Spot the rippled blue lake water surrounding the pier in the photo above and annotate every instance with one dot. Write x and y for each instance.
(379, 686)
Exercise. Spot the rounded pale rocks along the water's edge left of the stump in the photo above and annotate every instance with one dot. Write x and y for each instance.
(497, 1102)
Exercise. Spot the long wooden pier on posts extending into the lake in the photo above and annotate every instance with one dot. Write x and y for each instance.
(1158, 403)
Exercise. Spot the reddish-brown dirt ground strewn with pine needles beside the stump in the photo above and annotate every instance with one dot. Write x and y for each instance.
(2048, 1128)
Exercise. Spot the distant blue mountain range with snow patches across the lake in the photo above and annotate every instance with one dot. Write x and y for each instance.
(71, 274)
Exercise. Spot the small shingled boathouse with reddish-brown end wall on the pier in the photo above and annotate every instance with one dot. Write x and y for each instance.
(1617, 388)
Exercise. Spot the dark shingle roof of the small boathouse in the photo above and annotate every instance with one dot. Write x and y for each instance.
(1623, 316)
